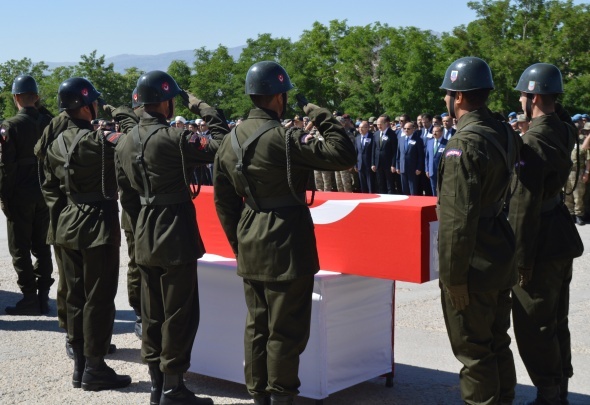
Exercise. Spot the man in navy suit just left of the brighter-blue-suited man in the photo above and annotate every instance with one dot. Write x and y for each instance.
(410, 159)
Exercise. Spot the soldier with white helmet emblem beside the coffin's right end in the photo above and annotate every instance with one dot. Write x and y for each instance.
(476, 244)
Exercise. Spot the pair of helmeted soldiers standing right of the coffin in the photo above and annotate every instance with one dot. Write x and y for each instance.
(492, 264)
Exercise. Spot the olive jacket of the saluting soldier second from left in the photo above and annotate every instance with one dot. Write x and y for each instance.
(87, 225)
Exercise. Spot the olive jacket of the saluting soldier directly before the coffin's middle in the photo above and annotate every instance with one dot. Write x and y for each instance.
(276, 244)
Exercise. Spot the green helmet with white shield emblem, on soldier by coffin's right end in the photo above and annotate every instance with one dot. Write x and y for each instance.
(467, 74)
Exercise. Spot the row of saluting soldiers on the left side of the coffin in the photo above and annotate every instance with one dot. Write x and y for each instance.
(149, 166)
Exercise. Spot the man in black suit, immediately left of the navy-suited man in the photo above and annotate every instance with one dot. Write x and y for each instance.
(384, 151)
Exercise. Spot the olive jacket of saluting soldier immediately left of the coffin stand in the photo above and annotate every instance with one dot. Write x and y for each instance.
(165, 234)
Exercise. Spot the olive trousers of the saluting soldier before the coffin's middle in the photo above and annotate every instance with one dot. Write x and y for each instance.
(277, 331)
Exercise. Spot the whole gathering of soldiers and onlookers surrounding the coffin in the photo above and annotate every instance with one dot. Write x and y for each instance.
(61, 178)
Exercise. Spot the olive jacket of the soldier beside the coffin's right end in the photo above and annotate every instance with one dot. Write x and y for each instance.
(476, 246)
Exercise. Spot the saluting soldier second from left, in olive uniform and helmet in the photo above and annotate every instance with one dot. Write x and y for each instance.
(81, 193)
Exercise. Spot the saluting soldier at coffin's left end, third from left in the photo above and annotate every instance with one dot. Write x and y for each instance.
(154, 163)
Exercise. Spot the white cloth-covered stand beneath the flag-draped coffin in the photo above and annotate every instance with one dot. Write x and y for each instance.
(351, 336)
